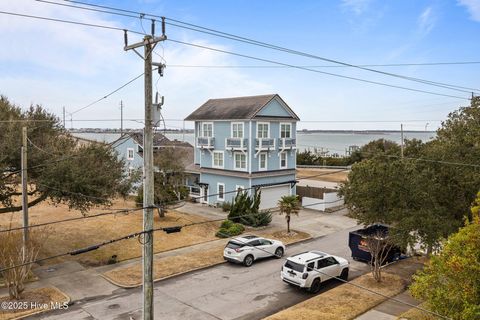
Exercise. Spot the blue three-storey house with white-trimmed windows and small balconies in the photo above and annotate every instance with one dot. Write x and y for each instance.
(245, 143)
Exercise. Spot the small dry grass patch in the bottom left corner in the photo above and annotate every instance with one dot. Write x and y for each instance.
(42, 298)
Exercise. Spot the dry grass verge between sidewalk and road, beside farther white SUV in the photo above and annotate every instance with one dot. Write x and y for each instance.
(173, 265)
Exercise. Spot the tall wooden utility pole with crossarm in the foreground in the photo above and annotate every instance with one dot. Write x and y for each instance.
(148, 43)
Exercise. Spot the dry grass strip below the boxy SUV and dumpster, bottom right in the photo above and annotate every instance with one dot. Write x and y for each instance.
(347, 301)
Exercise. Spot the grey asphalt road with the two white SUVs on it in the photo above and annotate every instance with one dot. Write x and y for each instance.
(227, 291)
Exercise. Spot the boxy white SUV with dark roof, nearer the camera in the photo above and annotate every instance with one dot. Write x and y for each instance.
(309, 269)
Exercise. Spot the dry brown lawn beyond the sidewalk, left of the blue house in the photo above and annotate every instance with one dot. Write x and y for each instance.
(78, 234)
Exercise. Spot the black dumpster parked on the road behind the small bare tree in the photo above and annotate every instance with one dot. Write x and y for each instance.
(358, 244)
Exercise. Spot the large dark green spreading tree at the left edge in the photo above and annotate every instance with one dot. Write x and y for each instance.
(59, 169)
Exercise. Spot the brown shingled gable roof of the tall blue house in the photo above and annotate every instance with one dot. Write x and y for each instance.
(236, 108)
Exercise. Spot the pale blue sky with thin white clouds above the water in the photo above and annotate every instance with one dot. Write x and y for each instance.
(69, 66)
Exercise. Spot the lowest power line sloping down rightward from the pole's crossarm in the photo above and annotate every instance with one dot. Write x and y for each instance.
(316, 71)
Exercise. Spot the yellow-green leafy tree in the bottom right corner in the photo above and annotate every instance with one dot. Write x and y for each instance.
(450, 282)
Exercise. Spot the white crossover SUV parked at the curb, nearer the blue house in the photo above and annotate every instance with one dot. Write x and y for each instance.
(248, 248)
